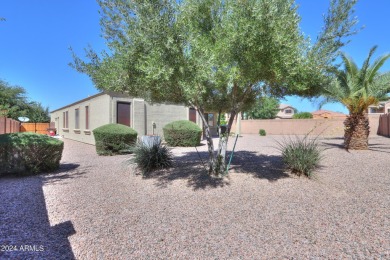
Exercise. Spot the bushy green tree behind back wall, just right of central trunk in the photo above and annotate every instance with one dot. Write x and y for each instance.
(265, 108)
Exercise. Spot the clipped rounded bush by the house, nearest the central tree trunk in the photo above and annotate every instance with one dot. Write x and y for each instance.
(182, 133)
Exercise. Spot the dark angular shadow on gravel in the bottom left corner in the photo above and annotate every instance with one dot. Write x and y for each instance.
(25, 228)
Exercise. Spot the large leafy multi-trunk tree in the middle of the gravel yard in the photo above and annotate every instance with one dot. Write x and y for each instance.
(213, 55)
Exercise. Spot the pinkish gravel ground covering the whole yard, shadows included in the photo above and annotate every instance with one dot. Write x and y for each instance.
(98, 208)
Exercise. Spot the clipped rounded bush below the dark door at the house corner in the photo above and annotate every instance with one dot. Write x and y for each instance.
(114, 139)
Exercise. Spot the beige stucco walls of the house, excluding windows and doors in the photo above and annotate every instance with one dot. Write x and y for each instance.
(103, 110)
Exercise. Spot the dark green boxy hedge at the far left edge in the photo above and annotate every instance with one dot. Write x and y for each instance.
(29, 153)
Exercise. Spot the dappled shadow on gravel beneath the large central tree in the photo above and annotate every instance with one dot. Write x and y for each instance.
(192, 167)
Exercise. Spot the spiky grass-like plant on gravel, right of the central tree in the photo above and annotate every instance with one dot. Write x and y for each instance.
(301, 155)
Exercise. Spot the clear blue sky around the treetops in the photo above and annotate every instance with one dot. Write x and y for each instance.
(36, 35)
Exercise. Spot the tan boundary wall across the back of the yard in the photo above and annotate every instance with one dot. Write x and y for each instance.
(325, 127)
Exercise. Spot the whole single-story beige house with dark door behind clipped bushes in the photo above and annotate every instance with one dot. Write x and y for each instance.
(76, 121)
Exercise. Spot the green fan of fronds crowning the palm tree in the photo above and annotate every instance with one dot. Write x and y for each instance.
(358, 88)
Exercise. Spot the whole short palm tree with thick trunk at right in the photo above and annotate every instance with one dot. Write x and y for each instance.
(357, 89)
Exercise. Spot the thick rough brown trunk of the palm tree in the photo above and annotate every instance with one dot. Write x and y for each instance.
(356, 132)
